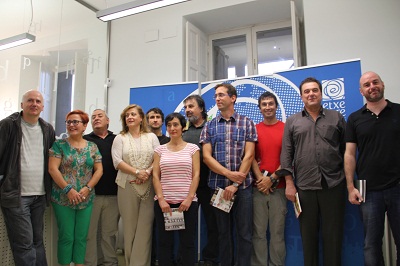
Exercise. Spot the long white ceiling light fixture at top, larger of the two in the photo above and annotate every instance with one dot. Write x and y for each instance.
(133, 7)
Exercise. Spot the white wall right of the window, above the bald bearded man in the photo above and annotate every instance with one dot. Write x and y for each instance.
(366, 29)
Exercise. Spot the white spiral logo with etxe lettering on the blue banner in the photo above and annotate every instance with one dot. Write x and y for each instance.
(333, 95)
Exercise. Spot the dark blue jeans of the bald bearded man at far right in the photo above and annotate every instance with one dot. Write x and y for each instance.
(373, 211)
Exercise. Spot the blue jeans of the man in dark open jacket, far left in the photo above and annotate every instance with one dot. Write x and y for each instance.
(25, 230)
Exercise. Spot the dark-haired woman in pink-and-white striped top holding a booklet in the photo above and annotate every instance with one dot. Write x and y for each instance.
(176, 175)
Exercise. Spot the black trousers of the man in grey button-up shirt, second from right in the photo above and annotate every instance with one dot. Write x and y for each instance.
(322, 210)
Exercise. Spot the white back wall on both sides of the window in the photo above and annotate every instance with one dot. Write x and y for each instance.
(334, 31)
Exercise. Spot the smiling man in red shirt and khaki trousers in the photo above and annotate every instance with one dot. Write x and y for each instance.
(269, 200)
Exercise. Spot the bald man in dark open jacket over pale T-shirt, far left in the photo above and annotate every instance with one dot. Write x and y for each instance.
(25, 140)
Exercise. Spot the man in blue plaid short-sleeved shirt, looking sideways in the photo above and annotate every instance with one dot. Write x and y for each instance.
(228, 150)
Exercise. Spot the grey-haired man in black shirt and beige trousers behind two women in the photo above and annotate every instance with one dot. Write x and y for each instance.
(105, 206)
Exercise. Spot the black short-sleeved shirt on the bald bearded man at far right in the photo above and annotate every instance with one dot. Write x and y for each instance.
(378, 143)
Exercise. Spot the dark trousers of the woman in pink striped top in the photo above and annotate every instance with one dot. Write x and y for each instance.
(187, 237)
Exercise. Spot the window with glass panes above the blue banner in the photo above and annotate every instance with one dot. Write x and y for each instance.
(257, 50)
